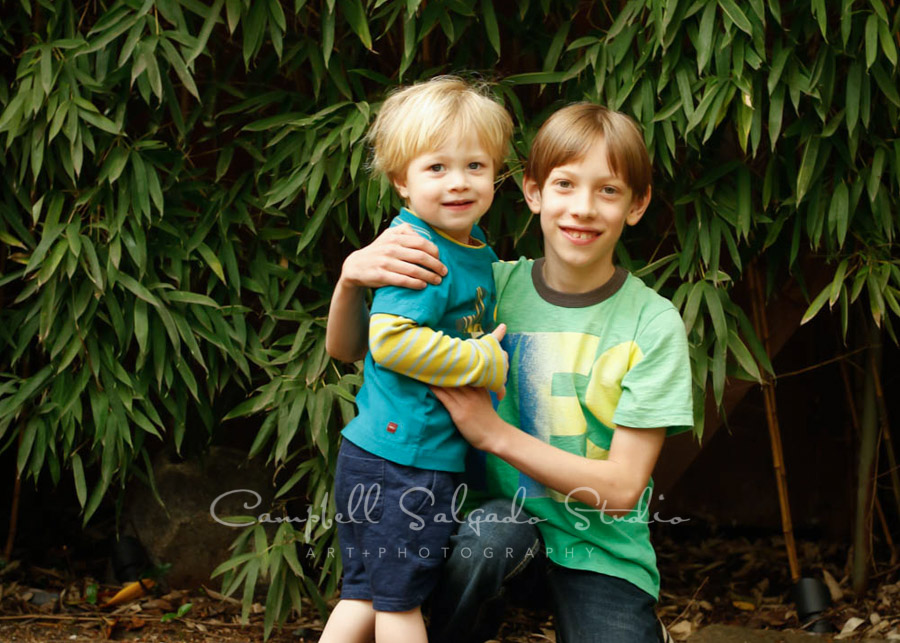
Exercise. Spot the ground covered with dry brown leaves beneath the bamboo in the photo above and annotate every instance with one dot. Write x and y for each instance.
(731, 581)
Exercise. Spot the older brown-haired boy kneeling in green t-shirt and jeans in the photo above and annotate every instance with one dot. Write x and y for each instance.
(599, 375)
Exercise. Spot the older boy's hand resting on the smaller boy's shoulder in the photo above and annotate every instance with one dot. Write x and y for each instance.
(398, 257)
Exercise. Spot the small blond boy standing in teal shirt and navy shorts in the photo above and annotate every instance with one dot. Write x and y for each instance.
(440, 144)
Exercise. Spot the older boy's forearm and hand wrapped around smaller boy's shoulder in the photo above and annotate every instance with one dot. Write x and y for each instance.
(398, 257)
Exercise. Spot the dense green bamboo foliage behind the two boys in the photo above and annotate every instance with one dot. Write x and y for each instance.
(181, 180)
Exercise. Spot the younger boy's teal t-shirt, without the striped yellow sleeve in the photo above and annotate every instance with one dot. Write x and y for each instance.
(399, 418)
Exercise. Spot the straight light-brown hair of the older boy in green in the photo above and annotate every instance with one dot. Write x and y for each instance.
(569, 133)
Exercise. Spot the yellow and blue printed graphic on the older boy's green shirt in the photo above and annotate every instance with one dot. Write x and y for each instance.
(566, 389)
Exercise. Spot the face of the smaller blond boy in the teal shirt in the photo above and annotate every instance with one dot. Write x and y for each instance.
(450, 187)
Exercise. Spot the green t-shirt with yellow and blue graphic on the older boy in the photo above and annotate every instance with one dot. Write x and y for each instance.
(579, 366)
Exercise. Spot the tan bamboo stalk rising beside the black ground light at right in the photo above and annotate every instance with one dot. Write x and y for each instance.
(762, 330)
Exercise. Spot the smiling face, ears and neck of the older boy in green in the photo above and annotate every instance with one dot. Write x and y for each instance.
(584, 207)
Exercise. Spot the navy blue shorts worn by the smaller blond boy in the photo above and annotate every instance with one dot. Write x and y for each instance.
(394, 527)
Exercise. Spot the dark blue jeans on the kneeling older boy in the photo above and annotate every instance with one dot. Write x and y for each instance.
(589, 607)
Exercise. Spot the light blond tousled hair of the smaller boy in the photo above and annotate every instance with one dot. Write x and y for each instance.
(420, 118)
